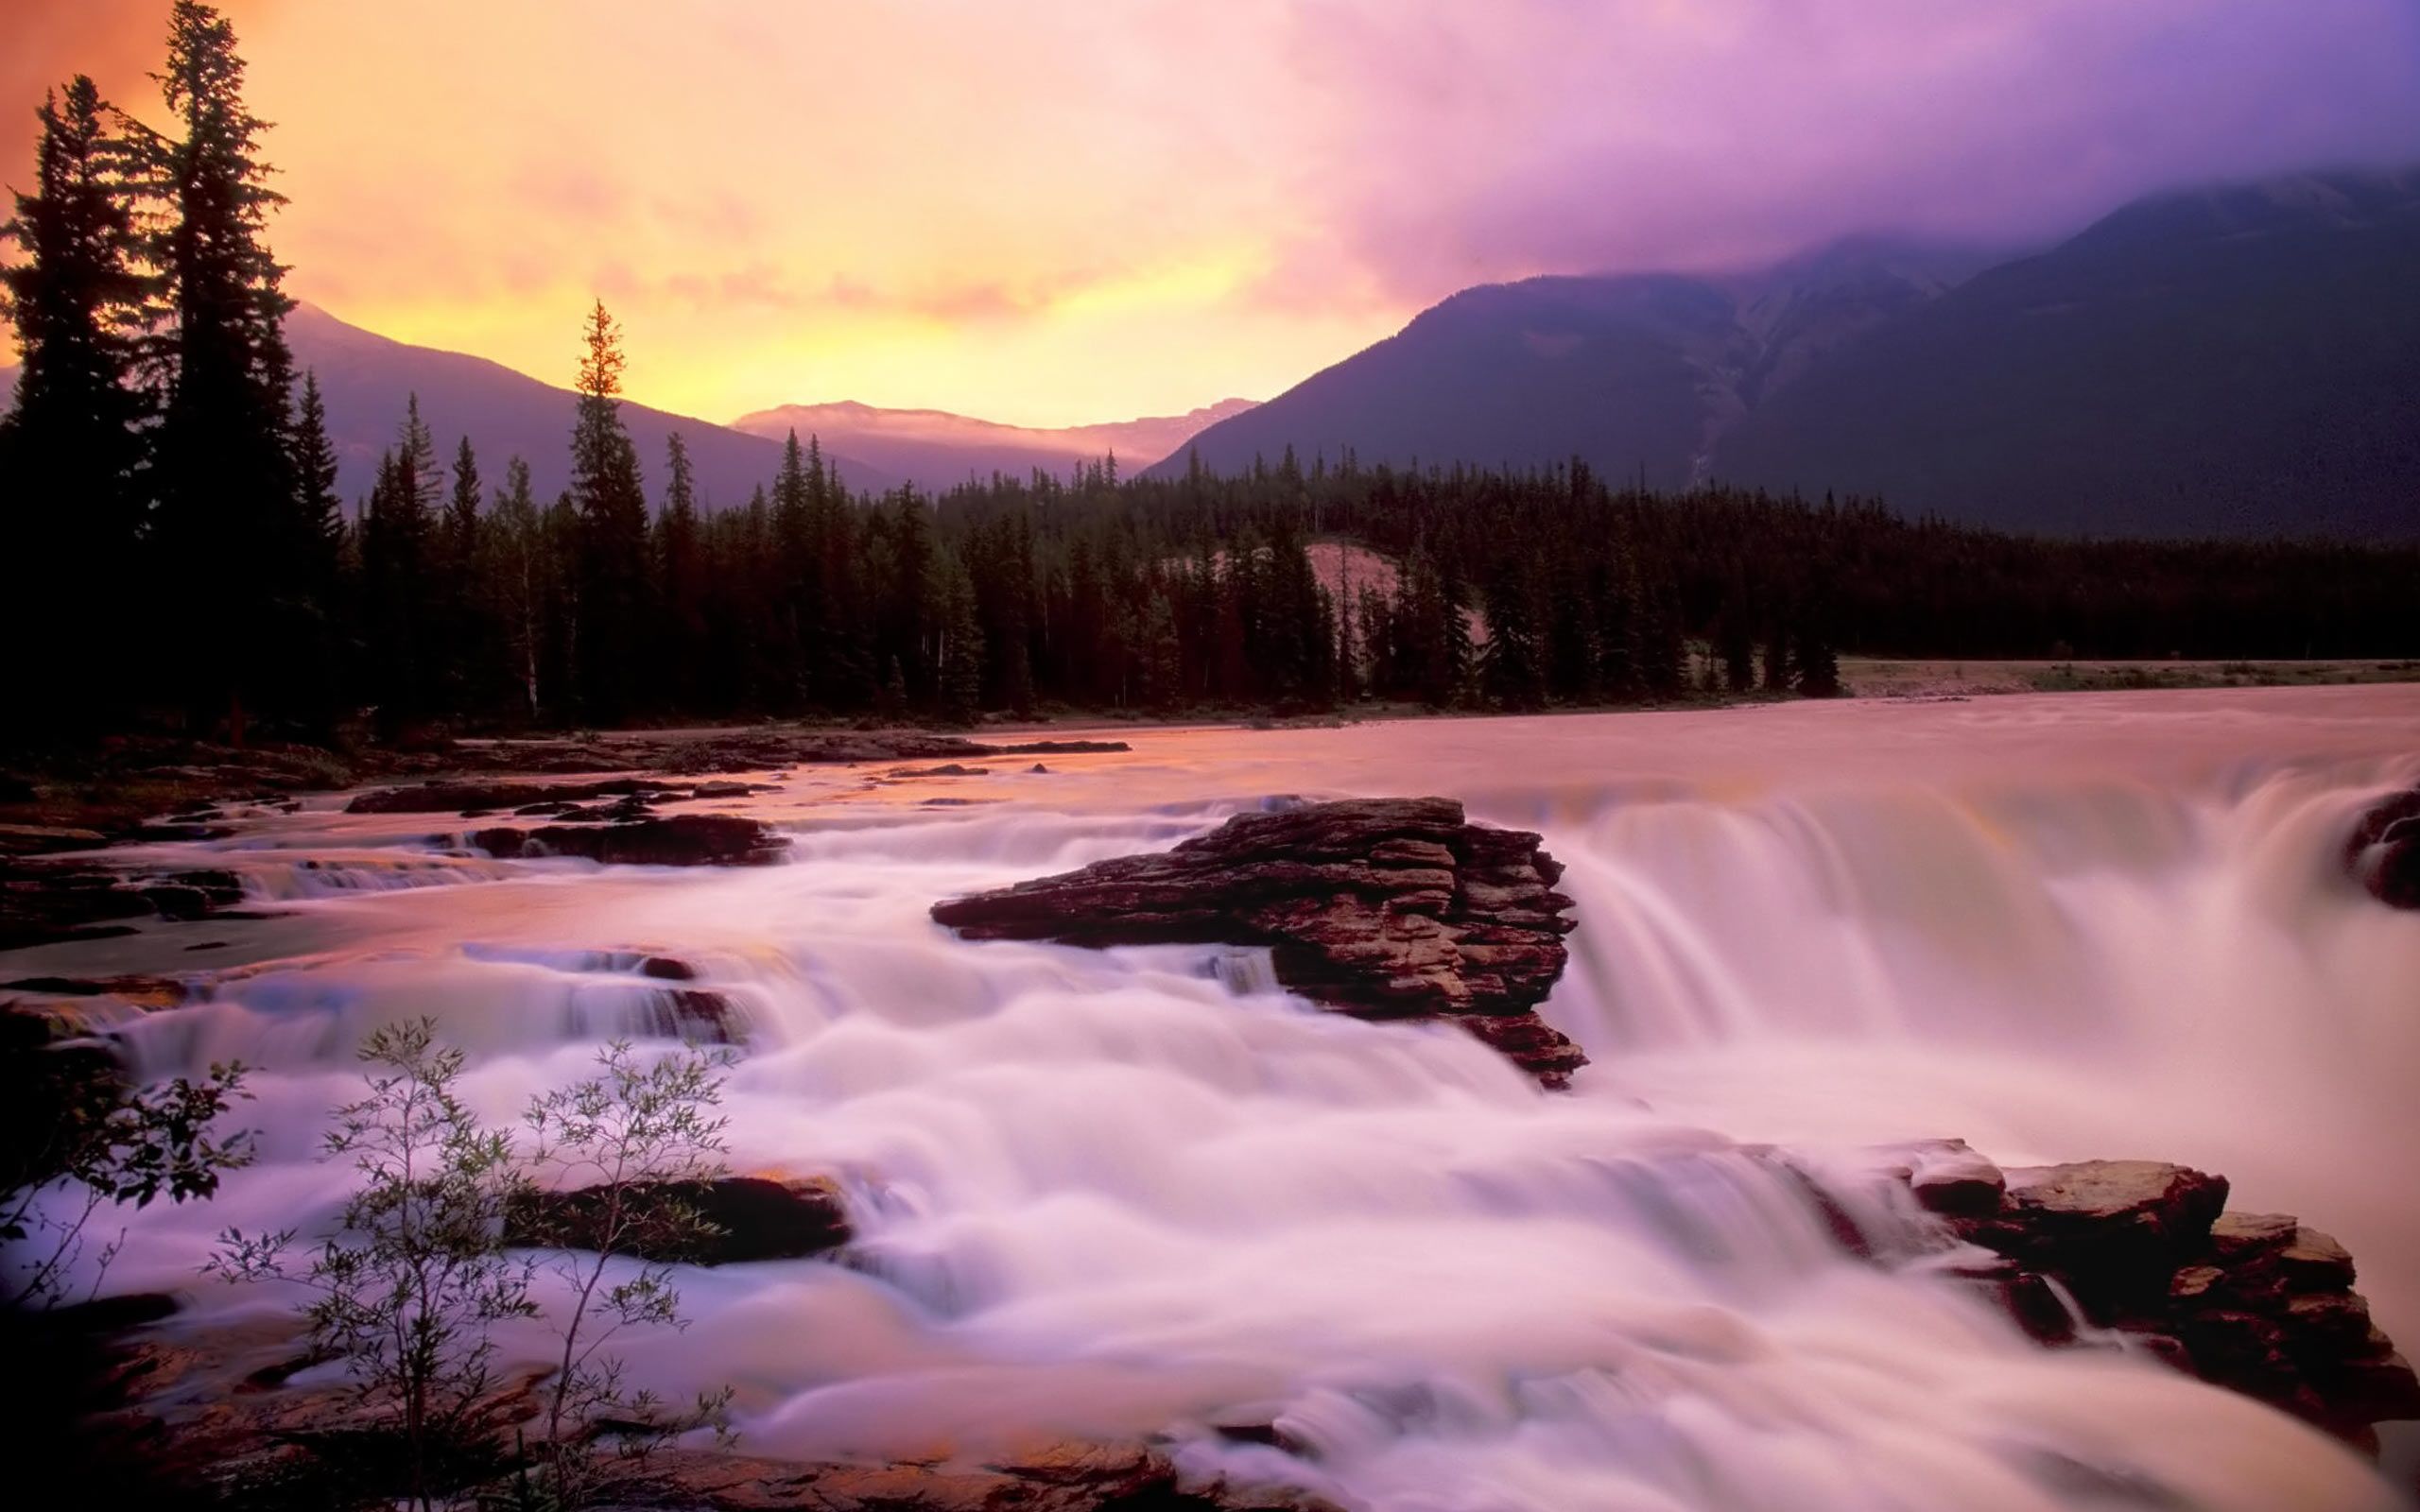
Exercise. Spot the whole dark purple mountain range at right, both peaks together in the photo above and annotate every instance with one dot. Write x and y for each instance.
(2235, 362)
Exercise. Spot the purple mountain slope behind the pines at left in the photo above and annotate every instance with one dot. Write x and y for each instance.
(367, 381)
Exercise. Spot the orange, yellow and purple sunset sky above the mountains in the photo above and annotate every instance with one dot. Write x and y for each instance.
(1059, 212)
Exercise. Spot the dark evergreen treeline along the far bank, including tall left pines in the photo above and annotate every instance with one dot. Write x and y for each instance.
(173, 492)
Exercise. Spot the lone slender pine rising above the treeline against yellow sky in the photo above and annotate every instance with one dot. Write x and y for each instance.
(611, 502)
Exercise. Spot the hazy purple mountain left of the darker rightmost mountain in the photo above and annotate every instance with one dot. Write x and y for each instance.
(1635, 374)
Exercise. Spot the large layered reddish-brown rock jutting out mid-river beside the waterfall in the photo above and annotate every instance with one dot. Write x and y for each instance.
(1381, 908)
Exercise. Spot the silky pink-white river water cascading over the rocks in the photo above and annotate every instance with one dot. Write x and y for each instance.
(1146, 1194)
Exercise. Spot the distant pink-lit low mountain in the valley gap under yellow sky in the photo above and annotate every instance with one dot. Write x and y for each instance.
(935, 449)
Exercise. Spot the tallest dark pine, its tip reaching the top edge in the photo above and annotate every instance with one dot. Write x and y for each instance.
(224, 449)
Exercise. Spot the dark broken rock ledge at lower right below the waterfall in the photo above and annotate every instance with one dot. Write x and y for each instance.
(2245, 1300)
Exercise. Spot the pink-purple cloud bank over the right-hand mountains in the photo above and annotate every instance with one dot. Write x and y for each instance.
(1647, 134)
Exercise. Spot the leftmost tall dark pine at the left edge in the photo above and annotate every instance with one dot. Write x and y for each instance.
(71, 437)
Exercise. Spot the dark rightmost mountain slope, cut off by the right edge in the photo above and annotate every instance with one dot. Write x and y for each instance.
(2228, 362)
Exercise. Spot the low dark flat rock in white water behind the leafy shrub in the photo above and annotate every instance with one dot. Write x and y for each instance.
(751, 1220)
